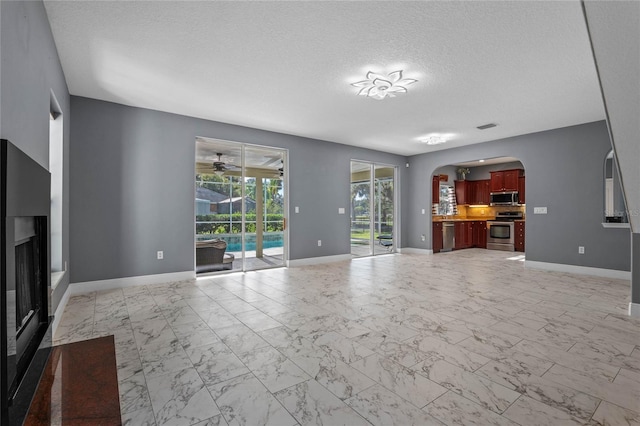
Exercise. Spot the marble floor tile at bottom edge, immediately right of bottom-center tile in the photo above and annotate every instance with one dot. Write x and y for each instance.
(382, 407)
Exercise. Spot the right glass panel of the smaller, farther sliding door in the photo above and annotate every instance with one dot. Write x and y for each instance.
(384, 209)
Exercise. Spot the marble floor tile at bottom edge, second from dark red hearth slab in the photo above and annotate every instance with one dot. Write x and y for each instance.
(181, 398)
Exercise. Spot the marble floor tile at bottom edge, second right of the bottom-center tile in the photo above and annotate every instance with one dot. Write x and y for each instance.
(454, 409)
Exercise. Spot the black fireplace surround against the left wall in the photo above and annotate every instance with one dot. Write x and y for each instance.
(25, 321)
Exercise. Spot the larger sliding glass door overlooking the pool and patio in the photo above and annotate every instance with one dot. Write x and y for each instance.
(240, 200)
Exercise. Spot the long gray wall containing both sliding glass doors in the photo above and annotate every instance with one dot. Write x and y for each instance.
(128, 161)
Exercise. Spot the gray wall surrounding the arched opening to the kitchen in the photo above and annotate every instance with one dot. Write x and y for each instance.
(564, 169)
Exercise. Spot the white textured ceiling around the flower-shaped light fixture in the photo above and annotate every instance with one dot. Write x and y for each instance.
(287, 66)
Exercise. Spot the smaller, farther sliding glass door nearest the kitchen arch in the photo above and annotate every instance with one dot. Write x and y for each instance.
(372, 208)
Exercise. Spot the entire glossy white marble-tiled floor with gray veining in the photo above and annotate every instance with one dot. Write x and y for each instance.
(466, 337)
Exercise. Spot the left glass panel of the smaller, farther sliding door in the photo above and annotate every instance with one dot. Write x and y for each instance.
(361, 197)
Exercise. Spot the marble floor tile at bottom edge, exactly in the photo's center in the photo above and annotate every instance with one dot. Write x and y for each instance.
(312, 404)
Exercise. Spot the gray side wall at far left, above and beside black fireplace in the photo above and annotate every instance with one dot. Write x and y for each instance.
(30, 72)
